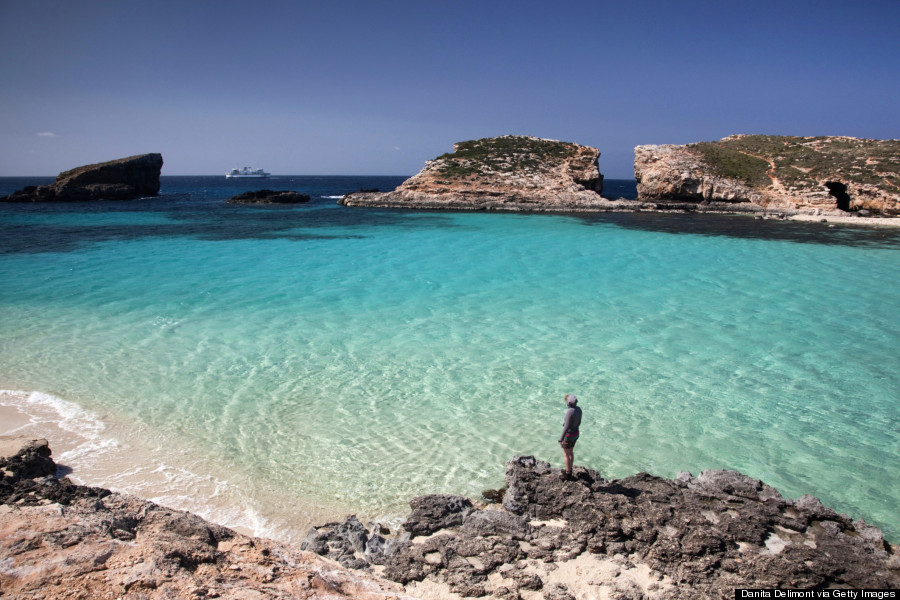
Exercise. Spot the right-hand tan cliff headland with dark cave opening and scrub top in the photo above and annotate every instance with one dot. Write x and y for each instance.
(821, 175)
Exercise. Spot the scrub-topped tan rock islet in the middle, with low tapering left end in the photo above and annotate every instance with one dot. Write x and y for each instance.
(512, 173)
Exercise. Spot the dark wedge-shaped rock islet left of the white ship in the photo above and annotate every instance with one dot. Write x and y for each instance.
(122, 179)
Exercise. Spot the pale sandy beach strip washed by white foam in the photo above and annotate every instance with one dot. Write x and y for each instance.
(95, 451)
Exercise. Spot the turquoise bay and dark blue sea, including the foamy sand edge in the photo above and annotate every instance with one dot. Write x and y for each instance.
(272, 367)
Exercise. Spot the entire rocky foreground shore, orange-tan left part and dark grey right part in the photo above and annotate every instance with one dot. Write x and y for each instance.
(538, 537)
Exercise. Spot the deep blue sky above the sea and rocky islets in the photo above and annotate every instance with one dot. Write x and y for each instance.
(370, 87)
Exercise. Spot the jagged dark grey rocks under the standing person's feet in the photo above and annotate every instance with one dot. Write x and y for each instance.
(638, 537)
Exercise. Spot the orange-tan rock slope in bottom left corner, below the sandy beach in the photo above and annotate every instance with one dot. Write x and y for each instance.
(60, 540)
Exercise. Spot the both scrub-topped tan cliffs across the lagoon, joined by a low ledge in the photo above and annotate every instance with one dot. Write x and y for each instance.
(825, 178)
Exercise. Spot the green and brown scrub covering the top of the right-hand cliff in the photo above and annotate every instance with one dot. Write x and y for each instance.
(804, 162)
